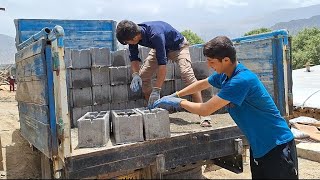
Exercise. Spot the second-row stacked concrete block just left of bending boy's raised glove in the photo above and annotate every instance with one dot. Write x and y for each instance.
(118, 75)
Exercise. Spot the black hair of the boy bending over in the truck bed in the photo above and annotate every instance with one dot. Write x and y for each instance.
(126, 30)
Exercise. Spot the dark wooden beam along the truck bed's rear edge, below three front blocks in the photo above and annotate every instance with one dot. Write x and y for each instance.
(181, 155)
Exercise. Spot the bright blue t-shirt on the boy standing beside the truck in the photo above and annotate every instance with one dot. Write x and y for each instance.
(253, 110)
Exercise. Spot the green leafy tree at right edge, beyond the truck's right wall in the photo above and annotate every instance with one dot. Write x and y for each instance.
(306, 48)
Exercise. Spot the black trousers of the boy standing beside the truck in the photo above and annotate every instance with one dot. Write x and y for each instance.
(279, 163)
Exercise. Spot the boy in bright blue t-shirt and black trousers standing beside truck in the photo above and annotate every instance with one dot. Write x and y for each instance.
(272, 146)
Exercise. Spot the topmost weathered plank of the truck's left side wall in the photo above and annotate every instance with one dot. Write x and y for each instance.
(35, 48)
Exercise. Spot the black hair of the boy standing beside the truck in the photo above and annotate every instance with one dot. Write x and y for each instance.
(219, 48)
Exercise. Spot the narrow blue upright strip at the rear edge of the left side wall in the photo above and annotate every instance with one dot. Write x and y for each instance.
(52, 114)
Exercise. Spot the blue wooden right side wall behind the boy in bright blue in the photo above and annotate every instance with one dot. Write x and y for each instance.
(264, 55)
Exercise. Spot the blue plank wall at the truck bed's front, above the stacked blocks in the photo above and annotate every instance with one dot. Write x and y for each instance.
(79, 34)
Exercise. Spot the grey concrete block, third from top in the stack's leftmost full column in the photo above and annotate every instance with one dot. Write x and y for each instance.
(82, 97)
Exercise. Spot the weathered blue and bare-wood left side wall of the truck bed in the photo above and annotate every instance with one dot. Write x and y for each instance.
(33, 97)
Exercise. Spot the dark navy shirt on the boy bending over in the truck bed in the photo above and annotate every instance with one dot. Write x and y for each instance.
(160, 36)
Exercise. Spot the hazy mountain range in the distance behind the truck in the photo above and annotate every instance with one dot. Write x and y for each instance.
(293, 20)
